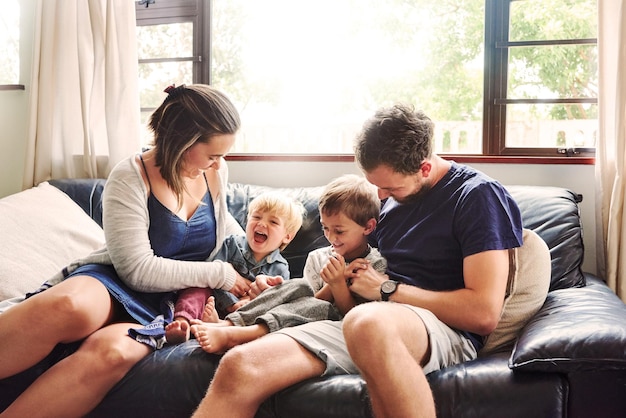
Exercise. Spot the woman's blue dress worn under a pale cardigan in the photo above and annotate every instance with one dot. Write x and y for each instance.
(170, 237)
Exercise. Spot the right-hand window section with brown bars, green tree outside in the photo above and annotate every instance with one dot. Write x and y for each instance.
(544, 101)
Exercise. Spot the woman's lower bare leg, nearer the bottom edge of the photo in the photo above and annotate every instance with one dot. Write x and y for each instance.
(76, 384)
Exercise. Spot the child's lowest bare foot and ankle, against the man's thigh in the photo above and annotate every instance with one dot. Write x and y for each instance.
(219, 339)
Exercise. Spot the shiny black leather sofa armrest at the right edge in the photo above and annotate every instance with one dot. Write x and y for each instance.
(577, 329)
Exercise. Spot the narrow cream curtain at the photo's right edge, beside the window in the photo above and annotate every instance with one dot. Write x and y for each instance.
(611, 147)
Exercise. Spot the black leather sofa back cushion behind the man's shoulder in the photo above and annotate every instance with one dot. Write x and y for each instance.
(553, 213)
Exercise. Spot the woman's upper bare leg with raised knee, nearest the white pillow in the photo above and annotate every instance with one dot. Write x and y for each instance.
(67, 312)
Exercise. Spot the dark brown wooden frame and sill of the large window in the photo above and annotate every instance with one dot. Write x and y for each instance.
(496, 46)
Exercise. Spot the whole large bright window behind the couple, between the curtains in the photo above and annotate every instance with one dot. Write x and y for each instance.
(500, 78)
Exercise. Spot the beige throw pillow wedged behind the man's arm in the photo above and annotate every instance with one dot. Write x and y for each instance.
(527, 288)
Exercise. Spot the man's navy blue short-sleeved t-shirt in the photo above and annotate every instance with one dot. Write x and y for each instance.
(465, 213)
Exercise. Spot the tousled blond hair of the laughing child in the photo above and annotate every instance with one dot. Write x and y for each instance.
(289, 210)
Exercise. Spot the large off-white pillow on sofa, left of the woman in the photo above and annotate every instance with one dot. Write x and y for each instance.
(43, 230)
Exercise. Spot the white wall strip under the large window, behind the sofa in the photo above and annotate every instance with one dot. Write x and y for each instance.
(578, 178)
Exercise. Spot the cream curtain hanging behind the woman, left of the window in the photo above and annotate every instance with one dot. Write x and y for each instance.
(84, 100)
